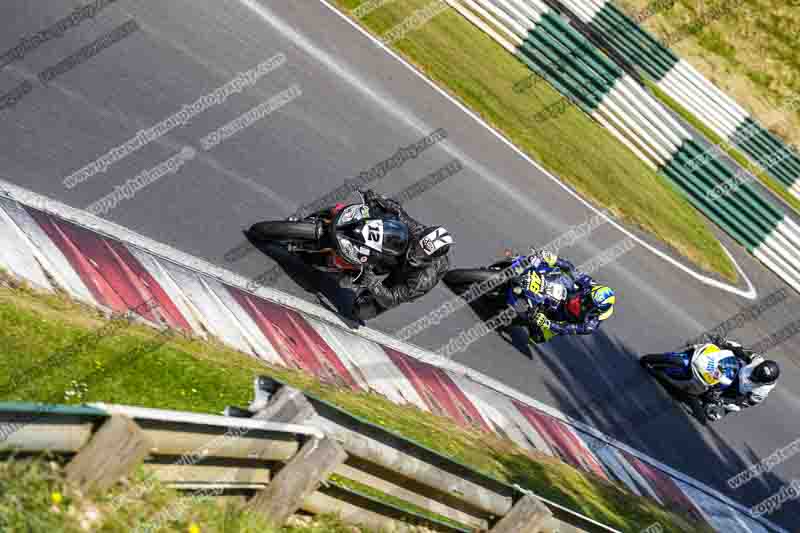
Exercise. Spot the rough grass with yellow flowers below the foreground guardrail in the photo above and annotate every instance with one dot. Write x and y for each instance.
(35, 498)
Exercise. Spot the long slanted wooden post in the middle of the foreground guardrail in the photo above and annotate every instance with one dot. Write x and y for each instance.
(298, 479)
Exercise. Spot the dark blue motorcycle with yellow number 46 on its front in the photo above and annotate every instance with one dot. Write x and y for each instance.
(516, 283)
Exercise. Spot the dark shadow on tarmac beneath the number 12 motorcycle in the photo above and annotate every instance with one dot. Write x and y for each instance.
(324, 285)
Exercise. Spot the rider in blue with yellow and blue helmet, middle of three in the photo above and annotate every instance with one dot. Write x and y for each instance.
(587, 304)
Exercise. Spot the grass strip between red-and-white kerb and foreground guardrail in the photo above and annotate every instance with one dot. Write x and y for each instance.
(191, 375)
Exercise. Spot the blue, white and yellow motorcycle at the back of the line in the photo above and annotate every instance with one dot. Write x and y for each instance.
(697, 375)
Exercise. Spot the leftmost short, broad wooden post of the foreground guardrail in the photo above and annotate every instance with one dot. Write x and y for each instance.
(113, 452)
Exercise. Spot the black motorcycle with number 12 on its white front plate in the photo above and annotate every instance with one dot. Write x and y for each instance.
(341, 239)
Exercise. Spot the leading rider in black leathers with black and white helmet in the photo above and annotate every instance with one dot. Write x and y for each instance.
(425, 264)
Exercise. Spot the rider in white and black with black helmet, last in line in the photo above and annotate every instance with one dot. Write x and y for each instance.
(756, 378)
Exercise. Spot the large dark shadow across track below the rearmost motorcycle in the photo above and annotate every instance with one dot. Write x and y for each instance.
(625, 402)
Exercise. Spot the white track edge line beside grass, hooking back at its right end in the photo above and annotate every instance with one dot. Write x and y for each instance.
(750, 293)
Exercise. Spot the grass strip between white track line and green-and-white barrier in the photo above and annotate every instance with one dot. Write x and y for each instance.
(481, 74)
